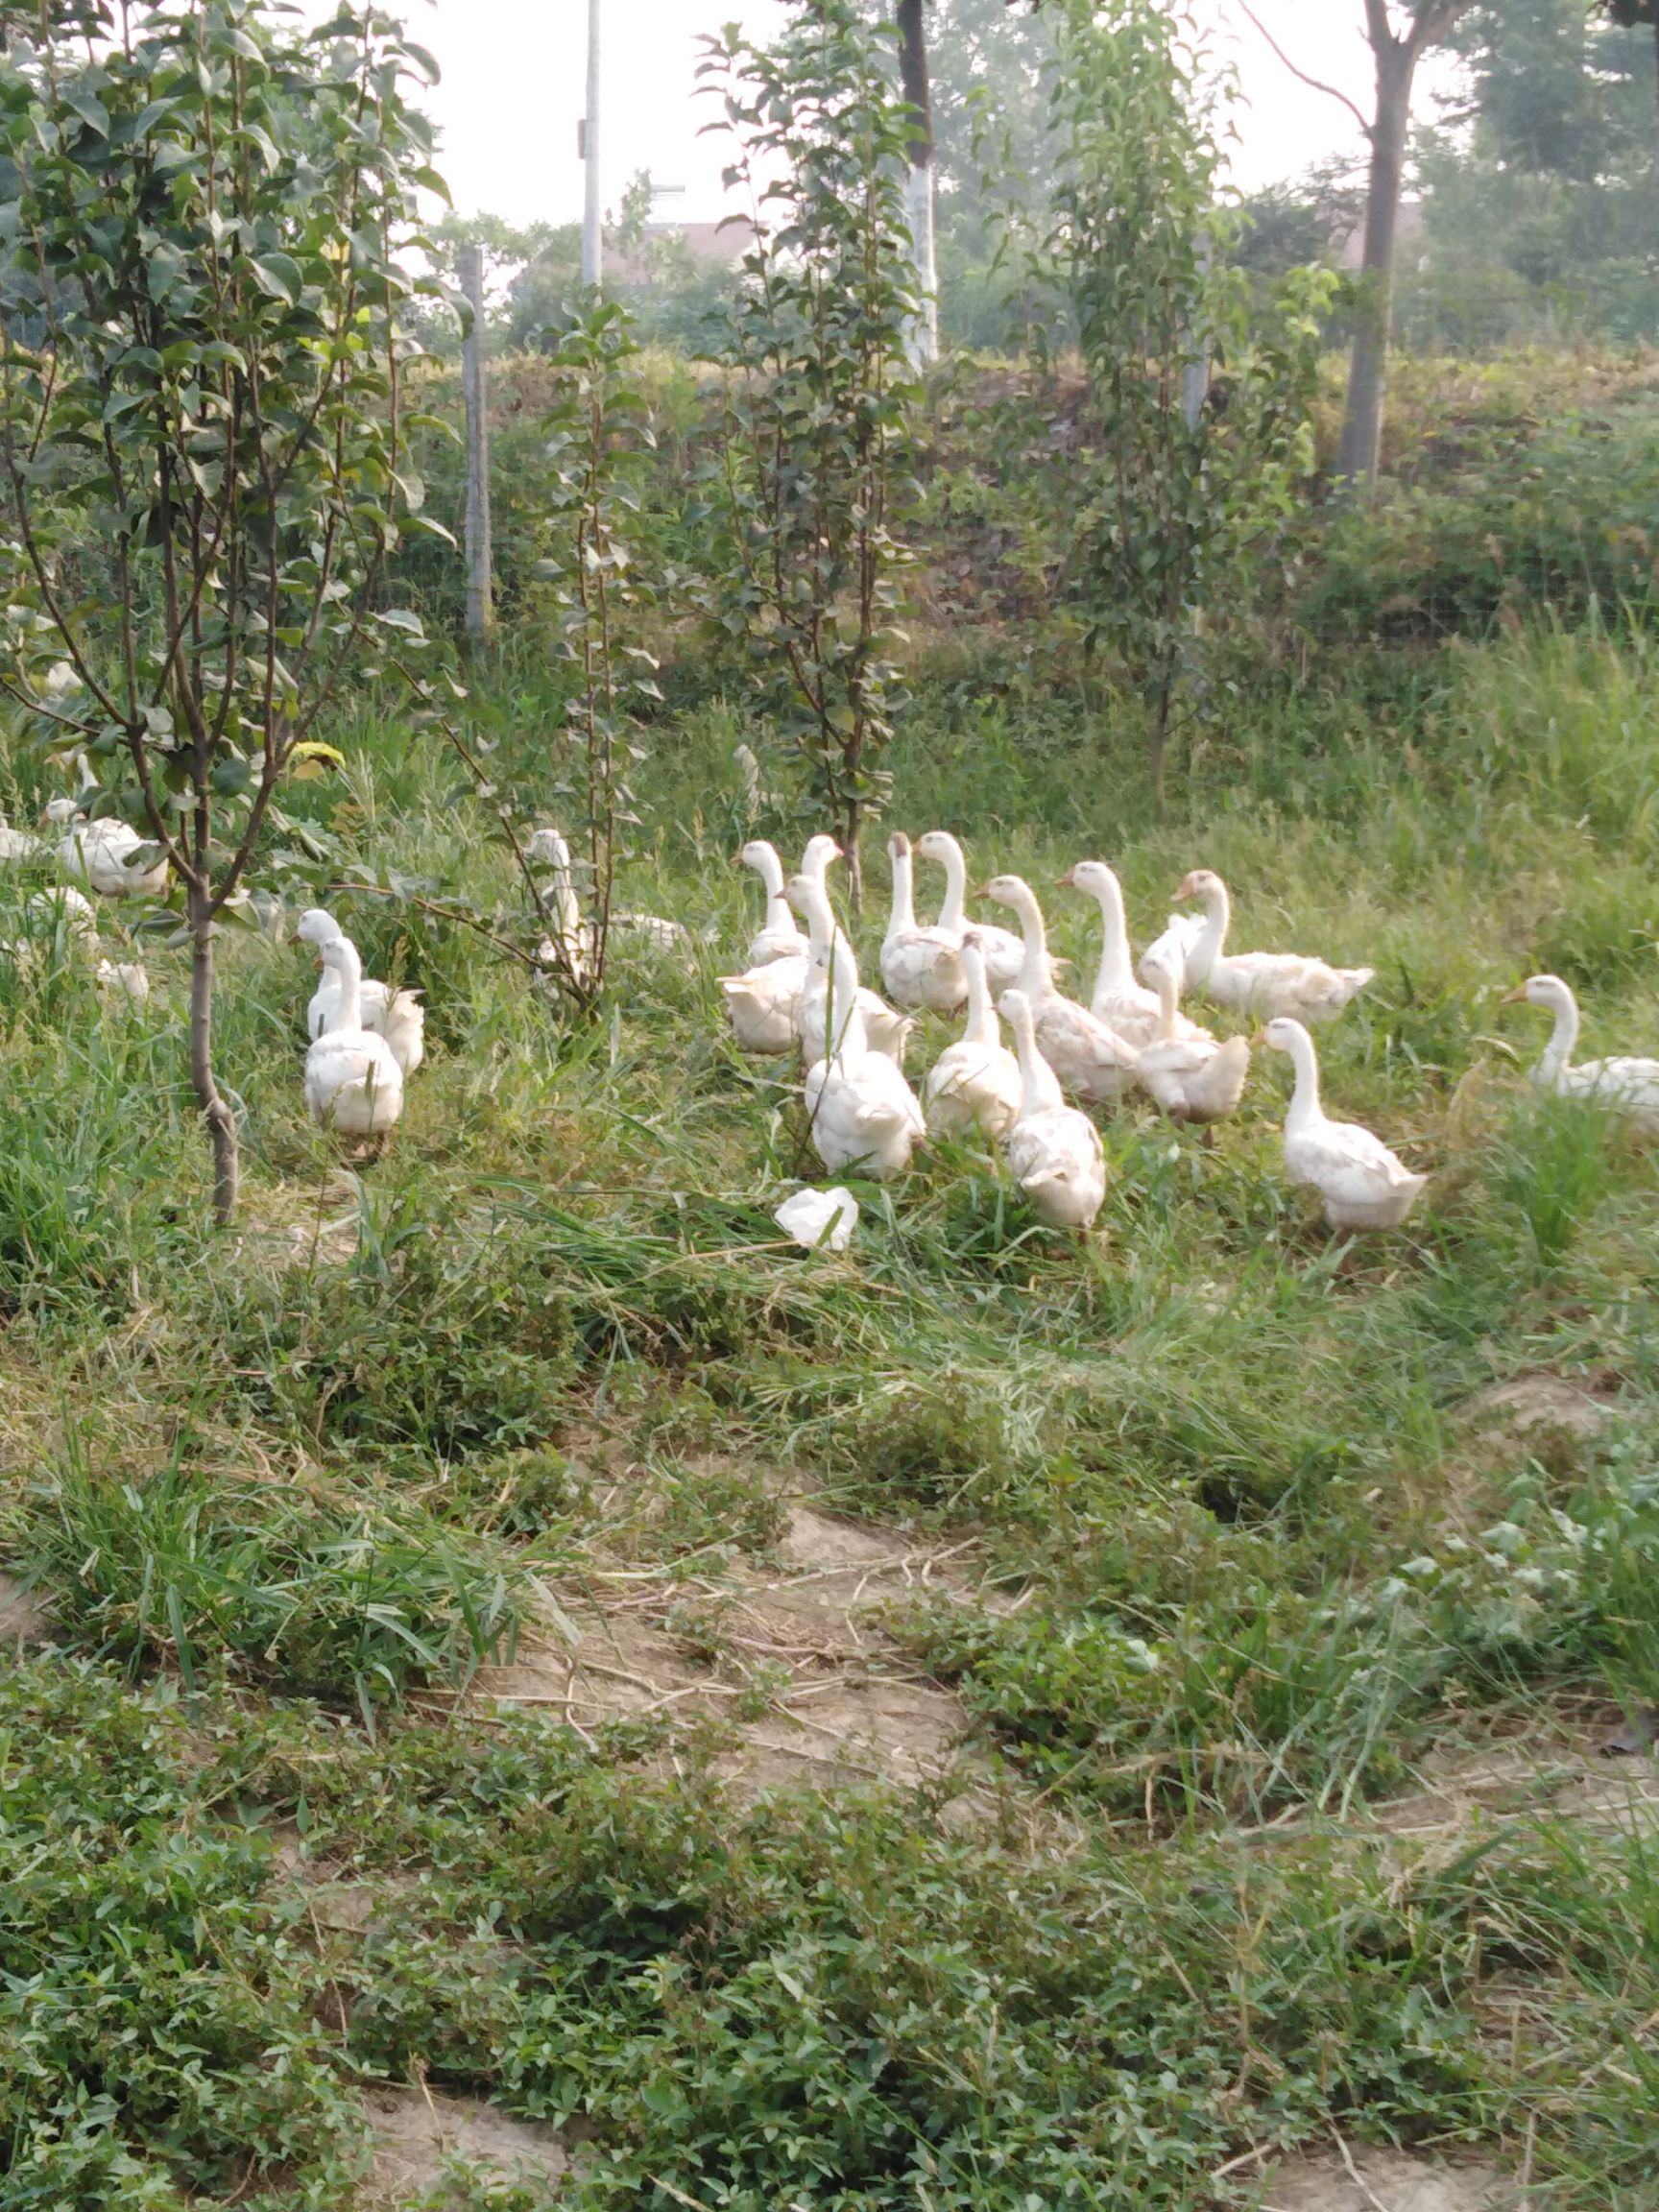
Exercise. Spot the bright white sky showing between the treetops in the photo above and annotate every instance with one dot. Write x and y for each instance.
(514, 87)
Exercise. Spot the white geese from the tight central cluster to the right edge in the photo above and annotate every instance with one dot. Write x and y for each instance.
(802, 992)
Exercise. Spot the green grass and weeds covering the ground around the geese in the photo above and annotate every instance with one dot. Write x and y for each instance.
(1249, 1561)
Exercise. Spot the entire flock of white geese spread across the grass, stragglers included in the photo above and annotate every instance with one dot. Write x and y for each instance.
(802, 992)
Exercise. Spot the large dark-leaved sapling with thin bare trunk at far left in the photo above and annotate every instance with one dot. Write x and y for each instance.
(205, 211)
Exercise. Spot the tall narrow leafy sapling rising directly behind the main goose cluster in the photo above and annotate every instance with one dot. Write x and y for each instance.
(813, 481)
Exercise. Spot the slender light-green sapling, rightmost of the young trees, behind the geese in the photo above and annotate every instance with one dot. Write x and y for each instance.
(1191, 481)
